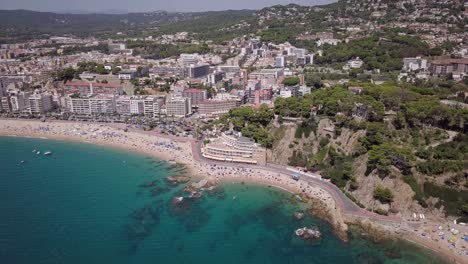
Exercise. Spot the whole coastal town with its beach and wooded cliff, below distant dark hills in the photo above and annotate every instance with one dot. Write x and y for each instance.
(363, 111)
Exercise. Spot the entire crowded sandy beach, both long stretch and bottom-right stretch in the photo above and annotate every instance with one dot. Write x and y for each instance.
(180, 151)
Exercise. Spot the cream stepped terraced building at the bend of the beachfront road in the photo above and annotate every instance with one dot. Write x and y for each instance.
(232, 147)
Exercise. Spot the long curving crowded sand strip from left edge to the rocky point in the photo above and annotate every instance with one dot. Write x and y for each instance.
(163, 148)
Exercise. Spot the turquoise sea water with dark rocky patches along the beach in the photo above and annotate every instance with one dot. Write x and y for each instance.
(88, 204)
